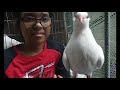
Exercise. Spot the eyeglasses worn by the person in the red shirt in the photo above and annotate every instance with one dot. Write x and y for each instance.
(30, 21)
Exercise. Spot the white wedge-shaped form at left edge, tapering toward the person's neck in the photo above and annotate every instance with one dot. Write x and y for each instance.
(9, 42)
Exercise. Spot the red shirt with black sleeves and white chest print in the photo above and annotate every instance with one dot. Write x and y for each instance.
(43, 65)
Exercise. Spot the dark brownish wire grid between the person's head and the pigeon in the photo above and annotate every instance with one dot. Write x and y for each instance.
(58, 29)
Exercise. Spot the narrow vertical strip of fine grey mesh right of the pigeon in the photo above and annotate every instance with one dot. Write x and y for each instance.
(112, 51)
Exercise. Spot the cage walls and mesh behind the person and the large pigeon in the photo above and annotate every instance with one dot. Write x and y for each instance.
(102, 24)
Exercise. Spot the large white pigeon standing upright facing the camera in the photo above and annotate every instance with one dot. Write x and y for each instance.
(82, 55)
